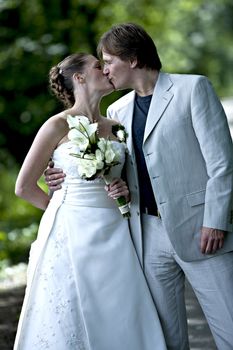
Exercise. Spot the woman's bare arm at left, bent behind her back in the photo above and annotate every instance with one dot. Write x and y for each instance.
(46, 140)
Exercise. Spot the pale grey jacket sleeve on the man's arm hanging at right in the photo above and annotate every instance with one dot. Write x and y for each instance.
(213, 134)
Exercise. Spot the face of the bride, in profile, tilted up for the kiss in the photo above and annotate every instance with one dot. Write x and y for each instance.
(94, 77)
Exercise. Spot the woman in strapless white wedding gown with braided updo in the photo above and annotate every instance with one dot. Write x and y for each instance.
(85, 286)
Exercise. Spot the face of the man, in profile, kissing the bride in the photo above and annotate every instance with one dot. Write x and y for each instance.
(117, 71)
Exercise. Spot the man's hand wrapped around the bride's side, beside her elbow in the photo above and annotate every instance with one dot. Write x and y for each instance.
(53, 177)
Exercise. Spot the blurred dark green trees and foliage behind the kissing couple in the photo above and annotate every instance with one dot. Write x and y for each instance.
(192, 36)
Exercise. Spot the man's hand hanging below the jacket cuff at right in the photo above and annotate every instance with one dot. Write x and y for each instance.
(211, 240)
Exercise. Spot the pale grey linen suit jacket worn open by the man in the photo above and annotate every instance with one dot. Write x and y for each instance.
(189, 156)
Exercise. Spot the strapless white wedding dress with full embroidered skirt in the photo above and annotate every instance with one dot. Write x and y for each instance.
(85, 288)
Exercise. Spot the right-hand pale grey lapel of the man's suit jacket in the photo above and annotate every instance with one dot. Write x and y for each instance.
(159, 102)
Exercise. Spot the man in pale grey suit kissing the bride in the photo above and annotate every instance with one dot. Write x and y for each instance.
(180, 175)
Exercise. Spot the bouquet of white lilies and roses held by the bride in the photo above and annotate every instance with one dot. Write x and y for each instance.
(96, 156)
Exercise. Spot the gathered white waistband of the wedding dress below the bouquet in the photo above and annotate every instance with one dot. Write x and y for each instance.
(88, 194)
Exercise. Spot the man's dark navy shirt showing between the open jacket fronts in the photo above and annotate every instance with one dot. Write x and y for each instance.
(147, 200)
